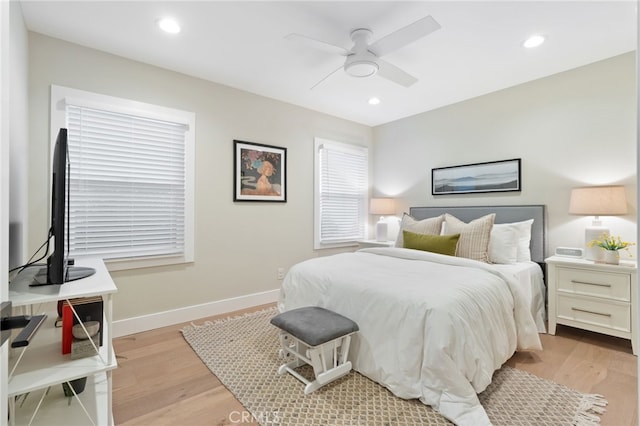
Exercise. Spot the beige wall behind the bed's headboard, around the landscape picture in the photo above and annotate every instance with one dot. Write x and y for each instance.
(571, 129)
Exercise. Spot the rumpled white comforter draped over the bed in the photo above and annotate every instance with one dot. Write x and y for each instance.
(432, 327)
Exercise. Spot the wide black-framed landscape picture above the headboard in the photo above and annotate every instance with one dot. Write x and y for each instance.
(492, 176)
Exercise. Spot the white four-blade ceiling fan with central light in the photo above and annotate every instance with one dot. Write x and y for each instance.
(364, 58)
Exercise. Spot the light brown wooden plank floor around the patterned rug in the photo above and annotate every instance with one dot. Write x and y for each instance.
(161, 381)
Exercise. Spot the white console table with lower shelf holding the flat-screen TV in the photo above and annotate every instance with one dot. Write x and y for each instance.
(42, 368)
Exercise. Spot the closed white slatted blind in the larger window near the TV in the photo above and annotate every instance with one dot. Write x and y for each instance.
(127, 184)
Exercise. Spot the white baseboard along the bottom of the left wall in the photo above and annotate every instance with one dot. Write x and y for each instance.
(190, 313)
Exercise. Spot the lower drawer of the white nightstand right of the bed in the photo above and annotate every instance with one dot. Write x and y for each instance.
(612, 315)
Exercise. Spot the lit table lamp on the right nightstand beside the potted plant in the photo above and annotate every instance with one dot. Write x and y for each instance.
(597, 201)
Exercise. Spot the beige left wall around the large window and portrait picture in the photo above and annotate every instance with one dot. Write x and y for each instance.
(238, 246)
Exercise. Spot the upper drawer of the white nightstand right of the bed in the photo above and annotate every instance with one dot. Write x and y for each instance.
(594, 283)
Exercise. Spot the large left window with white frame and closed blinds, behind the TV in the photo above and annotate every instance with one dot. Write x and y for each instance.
(130, 181)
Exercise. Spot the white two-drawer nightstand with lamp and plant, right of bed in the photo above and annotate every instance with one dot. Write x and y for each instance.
(594, 296)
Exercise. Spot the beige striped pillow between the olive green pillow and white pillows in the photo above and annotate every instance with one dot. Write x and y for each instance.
(474, 236)
